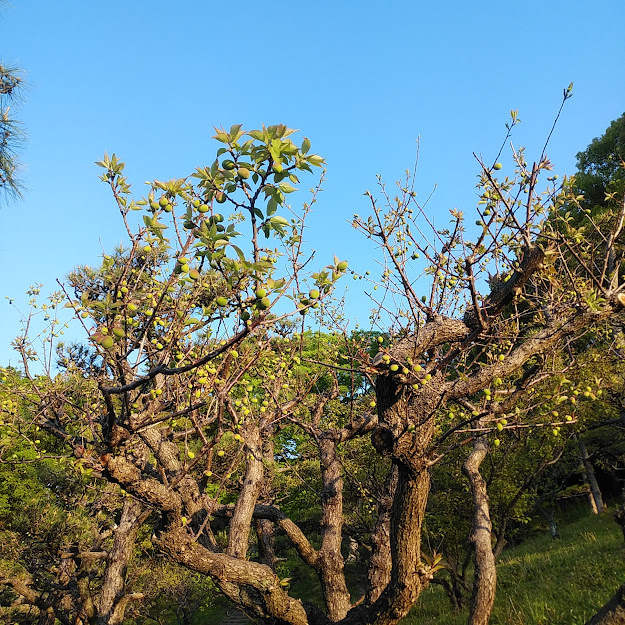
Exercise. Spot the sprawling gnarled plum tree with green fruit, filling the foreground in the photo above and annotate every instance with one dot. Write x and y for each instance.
(211, 393)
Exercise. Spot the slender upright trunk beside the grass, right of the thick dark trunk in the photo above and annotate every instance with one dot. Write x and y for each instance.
(485, 580)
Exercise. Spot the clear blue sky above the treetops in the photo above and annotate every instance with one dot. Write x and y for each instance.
(362, 80)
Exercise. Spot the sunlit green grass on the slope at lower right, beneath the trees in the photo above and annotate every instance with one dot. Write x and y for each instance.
(546, 582)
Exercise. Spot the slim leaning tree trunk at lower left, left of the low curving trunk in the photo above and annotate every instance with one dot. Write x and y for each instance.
(113, 601)
